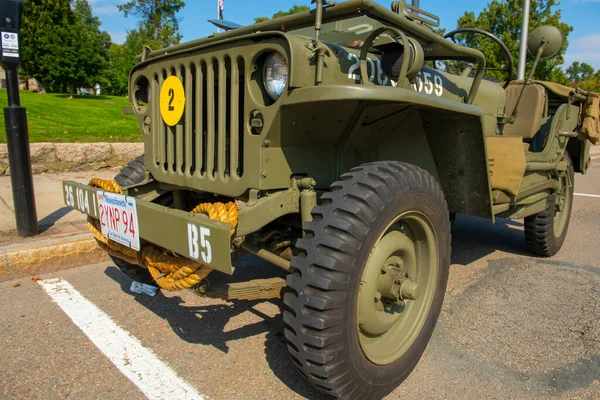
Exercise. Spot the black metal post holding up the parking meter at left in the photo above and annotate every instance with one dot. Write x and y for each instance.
(19, 160)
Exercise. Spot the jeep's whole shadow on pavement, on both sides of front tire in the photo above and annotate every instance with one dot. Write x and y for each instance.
(472, 239)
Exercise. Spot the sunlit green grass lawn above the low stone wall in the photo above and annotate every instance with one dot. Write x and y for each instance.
(56, 118)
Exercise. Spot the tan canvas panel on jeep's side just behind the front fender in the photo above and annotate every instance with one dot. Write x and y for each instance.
(506, 161)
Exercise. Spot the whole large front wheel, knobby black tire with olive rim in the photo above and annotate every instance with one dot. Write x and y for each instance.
(370, 280)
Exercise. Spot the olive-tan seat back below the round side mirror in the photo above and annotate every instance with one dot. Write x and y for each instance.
(532, 112)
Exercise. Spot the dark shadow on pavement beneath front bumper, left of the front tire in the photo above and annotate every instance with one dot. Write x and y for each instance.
(205, 324)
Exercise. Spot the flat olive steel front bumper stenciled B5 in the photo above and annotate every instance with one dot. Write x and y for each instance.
(174, 230)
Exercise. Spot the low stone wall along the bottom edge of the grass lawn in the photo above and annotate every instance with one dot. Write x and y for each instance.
(54, 157)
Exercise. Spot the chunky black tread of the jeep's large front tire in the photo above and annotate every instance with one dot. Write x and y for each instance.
(317, 297)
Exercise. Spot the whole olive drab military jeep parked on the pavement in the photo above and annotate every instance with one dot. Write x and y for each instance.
(332, 145)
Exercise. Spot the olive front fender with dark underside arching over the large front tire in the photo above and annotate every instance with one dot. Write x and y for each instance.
(444, 137)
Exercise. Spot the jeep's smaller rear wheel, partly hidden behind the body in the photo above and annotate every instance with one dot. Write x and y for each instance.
(545, 232)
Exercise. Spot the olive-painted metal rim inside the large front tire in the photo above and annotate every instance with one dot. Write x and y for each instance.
(397, 288)
